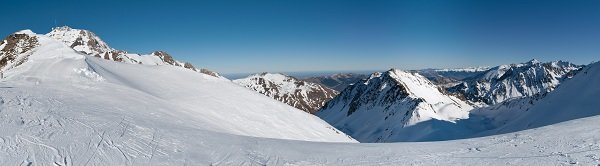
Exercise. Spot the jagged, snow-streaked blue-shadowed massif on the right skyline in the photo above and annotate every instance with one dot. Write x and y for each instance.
(516, 80)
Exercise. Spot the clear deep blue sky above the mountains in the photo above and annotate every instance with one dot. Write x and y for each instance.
(306, 35)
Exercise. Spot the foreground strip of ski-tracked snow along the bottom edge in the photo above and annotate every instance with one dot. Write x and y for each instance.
(48, 132)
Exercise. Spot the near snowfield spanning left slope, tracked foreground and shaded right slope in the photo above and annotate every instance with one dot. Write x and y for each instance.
(64, 108)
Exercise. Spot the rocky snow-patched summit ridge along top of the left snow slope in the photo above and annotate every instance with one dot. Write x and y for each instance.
(89, 43)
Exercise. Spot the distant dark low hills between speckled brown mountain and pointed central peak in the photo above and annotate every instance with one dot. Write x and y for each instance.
(337, 82)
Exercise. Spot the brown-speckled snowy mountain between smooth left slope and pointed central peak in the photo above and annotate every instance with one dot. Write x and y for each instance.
(303, 95)
